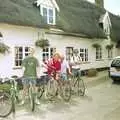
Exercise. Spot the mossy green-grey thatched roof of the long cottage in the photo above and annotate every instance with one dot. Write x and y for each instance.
(75, 16)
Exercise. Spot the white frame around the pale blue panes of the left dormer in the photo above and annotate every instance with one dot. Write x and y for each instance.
(48, 8)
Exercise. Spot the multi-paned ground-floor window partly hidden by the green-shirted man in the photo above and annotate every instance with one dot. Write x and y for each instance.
(20, 54)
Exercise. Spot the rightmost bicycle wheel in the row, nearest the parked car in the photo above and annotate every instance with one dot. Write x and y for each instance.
(79, 87)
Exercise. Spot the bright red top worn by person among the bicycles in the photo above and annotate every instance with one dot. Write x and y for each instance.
(53, 66)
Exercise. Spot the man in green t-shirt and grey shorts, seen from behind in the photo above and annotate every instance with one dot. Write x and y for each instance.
(30, 70)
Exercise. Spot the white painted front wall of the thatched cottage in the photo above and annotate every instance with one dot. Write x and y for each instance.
(26, 36)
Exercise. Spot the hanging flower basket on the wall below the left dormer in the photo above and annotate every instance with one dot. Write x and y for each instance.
(42, 43)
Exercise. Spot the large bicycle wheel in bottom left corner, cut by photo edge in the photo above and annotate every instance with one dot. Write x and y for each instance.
(5, 104)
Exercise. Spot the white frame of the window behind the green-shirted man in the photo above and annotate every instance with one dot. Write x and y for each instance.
(23, 54)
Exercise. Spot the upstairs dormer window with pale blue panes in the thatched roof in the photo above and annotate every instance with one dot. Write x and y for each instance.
(48, 15)
